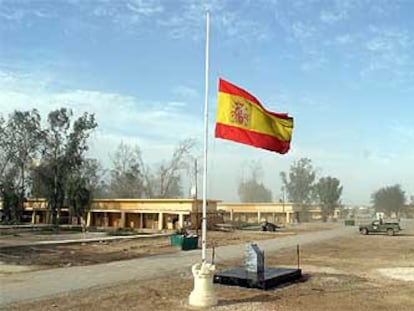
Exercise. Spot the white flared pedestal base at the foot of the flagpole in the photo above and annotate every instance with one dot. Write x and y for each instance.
(203, 294)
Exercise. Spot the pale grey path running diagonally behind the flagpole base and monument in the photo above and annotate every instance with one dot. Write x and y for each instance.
(39, 284)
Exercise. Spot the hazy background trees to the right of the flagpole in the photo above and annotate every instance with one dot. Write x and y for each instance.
(301, 186)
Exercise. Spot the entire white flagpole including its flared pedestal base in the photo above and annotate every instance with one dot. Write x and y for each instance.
(203, 294)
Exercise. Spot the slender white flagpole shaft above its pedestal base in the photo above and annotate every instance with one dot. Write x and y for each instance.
(204, 218)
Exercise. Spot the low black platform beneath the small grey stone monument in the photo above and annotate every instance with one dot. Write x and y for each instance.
(271, 277)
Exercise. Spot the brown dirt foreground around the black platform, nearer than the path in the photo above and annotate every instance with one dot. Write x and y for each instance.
(340, 274)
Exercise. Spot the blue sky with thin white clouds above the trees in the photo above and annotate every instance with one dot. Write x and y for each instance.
(343, 69)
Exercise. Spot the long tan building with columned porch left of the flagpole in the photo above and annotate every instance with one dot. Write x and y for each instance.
(155, 214)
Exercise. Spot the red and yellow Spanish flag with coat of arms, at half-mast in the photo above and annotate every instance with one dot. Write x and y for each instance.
(242, 118)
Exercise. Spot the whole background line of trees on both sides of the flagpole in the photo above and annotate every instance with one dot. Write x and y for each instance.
(49, 160)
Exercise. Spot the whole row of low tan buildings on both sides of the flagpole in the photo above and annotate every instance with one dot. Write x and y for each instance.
(160, 214)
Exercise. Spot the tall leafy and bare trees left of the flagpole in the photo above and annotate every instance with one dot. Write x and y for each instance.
(49, 160)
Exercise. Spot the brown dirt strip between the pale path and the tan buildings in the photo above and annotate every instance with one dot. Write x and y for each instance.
(52, 256)
